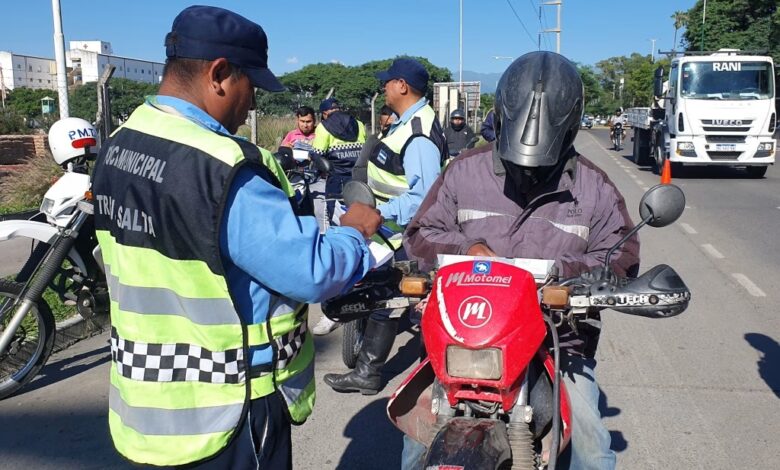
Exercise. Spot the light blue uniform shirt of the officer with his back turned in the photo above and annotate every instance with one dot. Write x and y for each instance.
(266, 248)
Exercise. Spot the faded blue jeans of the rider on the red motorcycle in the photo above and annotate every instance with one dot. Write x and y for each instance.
(590, 440)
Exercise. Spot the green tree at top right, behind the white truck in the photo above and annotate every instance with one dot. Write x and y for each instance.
(736, 24)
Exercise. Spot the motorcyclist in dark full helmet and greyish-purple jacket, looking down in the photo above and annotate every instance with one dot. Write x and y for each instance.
(532, 195)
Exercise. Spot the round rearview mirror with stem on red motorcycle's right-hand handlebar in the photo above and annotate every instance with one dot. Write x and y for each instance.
(660, 206)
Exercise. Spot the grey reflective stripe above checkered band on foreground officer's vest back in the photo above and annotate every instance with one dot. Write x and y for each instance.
(161, 301)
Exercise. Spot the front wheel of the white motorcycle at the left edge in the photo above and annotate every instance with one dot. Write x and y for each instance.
(31, 345)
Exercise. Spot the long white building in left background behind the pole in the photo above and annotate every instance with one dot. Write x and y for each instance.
(85, 61)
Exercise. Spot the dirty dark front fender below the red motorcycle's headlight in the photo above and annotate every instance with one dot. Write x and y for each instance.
(470, 443)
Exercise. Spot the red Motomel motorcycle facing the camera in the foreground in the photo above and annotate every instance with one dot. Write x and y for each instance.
(489, 395)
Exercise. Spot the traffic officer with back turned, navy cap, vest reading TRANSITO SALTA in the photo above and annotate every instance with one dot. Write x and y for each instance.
(209, 270)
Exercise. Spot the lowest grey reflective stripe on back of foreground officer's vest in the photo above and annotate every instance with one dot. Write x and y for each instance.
(175, 422)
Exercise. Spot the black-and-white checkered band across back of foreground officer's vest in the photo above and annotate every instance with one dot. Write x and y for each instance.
(154, 362)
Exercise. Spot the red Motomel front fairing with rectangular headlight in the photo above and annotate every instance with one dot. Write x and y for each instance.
(481, 327)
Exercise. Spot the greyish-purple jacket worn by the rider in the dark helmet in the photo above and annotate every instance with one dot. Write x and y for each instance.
(574, 220)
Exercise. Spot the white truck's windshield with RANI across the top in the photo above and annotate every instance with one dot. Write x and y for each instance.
(727, 80)
